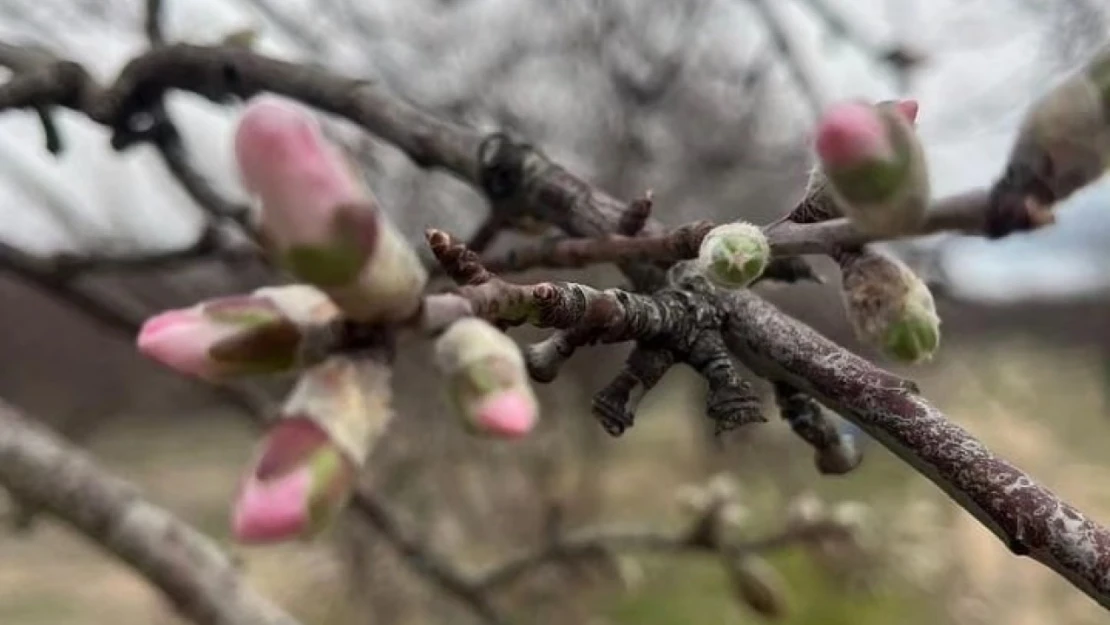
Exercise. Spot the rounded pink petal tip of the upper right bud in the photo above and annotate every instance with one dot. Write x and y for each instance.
(850, 134)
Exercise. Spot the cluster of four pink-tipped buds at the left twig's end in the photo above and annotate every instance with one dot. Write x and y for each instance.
(327, 230)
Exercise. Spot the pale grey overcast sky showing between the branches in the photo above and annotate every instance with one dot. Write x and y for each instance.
(987, 62)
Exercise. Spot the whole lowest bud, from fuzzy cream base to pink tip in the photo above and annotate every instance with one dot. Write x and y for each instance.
(308, 465)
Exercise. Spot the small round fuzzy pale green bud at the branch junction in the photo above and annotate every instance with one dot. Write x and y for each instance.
(734, 255)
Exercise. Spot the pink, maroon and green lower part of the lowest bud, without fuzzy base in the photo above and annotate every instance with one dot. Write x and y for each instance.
(300, 481)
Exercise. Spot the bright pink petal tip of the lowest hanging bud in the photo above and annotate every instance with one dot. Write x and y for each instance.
(273, 511)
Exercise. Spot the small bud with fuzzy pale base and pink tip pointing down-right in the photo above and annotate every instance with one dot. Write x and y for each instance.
(488, 381)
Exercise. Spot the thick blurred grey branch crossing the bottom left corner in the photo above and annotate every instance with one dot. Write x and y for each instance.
(189, 568)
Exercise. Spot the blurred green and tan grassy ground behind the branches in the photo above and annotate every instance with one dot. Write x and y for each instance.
(1043, 409)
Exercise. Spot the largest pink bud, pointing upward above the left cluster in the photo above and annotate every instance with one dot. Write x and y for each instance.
(319, 220)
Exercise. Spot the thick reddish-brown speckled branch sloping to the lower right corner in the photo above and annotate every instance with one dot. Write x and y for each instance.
(1028, 518)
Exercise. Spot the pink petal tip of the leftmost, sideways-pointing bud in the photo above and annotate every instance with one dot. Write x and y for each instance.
(180, 340)
